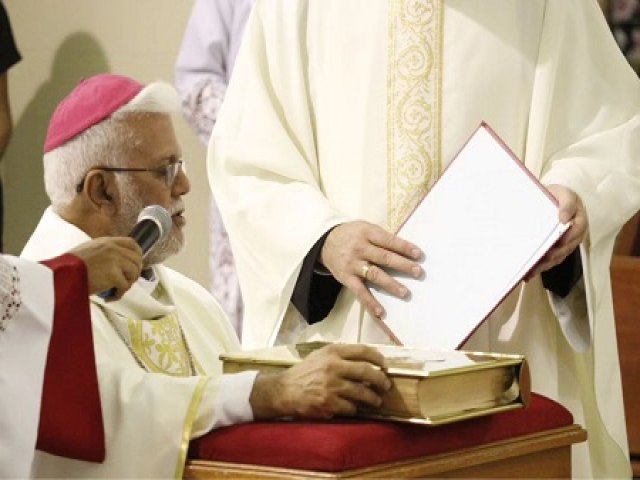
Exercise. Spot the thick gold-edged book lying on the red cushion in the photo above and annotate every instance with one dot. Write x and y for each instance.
(428, 386)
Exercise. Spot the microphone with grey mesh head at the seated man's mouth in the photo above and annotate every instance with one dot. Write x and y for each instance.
(153, 226)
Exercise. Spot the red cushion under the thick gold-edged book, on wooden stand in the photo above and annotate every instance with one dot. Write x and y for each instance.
(345, 444)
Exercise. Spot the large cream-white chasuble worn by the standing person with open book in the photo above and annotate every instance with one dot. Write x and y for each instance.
(350, 109)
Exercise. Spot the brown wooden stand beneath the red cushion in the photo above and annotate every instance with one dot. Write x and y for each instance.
(541, 455)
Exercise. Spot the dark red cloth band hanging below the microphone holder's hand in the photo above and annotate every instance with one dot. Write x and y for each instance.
(71, 414)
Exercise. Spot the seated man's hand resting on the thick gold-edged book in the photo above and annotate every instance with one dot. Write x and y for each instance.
(333, 380)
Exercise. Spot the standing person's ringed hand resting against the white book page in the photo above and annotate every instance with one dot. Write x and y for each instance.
(356, 252)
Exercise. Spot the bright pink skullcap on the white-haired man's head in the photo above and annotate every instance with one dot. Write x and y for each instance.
(93, 100)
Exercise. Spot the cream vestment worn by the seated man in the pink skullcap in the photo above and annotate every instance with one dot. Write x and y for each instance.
(158, 369)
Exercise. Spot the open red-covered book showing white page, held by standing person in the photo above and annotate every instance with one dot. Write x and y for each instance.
(483, 226)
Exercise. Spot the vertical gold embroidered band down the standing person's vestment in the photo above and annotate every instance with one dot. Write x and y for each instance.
(414, 84)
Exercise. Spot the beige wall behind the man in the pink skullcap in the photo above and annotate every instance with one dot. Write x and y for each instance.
(62, 41)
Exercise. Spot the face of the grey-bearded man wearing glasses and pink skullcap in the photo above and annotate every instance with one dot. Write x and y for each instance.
(155, 146)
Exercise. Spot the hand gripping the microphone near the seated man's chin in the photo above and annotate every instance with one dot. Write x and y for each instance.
(111, 262)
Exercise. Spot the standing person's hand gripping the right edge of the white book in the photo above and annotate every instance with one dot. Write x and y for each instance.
(571, 210)
